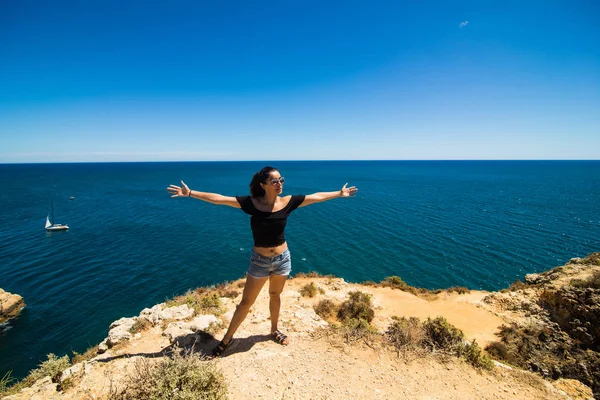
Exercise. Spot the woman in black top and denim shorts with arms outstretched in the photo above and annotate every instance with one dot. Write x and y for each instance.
(270, 258)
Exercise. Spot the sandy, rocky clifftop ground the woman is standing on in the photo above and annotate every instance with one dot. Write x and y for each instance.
(535, 317)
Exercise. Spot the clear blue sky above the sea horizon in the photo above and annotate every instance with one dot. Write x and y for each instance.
(298, 80)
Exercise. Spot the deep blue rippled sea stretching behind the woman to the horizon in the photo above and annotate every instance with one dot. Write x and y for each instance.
(480, 224)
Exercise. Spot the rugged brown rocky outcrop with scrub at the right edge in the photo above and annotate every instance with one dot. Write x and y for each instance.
(553, 322)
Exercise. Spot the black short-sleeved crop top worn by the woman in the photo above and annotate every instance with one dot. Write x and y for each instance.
(268, 227)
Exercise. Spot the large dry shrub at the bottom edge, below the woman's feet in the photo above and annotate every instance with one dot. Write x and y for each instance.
(181, 377)
